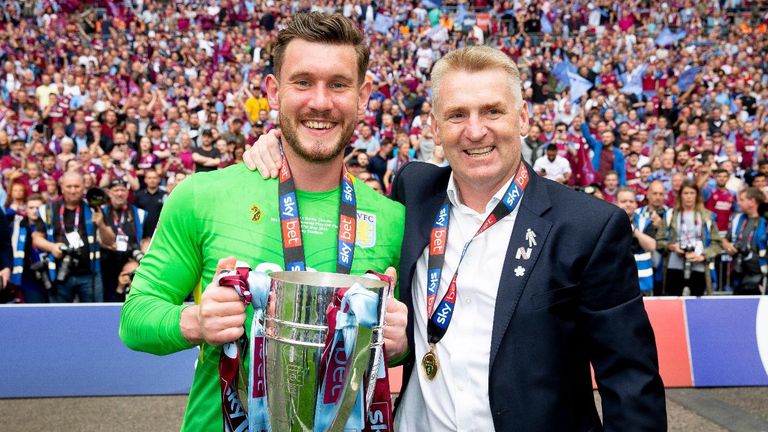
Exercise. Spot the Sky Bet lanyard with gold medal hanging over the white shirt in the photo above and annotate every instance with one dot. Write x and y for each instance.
(439, 321)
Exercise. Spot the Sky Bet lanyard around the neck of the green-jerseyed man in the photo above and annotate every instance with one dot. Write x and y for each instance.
(293, 246)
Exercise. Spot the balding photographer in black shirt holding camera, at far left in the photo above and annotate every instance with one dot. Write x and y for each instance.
(67, 229)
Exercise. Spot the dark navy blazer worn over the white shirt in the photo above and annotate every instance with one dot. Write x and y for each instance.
(577, 303)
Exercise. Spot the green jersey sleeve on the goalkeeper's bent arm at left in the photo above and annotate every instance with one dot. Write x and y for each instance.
(167, 275)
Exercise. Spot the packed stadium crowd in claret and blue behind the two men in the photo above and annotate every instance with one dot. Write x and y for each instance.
(132, 96)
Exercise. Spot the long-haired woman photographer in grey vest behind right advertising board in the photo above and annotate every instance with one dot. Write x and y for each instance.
(690, 240)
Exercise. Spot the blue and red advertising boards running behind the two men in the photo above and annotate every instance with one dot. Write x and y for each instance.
(74, 350)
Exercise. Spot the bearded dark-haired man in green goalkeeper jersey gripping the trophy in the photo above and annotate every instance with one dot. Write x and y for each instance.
(214, 219)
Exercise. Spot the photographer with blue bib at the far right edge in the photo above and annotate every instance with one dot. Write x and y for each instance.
(746, 243)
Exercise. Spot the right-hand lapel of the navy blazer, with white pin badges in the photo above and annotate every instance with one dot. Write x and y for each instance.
(529, 236)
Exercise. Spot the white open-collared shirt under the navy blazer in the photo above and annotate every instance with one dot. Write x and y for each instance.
(458, 396)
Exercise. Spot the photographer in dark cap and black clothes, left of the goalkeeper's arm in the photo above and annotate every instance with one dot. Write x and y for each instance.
(126, 223)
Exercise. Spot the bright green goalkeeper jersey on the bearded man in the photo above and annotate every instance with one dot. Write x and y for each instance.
(234, 212)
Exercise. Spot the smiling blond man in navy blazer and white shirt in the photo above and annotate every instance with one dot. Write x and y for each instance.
(570, 300)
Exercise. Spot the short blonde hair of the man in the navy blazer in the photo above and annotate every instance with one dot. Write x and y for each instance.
(477, 59)
